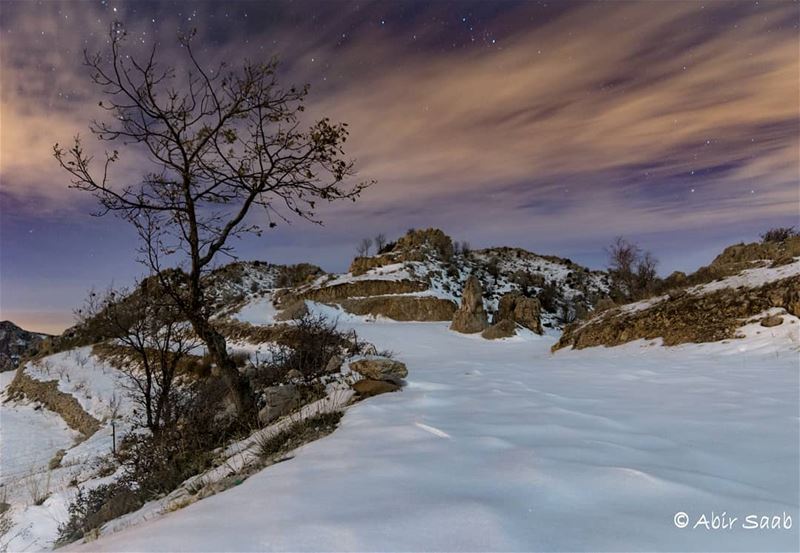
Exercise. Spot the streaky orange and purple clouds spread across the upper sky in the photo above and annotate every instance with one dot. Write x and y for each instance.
(608, 115)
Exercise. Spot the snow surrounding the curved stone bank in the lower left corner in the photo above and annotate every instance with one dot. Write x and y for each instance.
(30, 437)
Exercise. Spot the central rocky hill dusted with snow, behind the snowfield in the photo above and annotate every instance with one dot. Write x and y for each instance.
(421, 277)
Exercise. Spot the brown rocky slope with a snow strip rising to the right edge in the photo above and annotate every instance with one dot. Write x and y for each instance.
(753, 283)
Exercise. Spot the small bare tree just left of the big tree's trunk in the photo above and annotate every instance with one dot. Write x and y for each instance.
(155, 337)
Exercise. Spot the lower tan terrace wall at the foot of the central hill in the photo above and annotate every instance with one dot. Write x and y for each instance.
(402, 308)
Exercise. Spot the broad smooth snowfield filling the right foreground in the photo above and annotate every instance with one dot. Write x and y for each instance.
(504, 446)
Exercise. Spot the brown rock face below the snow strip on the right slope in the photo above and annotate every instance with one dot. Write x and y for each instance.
(686, 317)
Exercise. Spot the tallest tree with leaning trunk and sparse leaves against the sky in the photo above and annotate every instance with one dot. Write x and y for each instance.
(223, 145)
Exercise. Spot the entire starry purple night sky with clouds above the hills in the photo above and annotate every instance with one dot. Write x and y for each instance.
(551, 126)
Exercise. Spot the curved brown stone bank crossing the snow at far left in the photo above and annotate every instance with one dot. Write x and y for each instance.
(48, 394)
